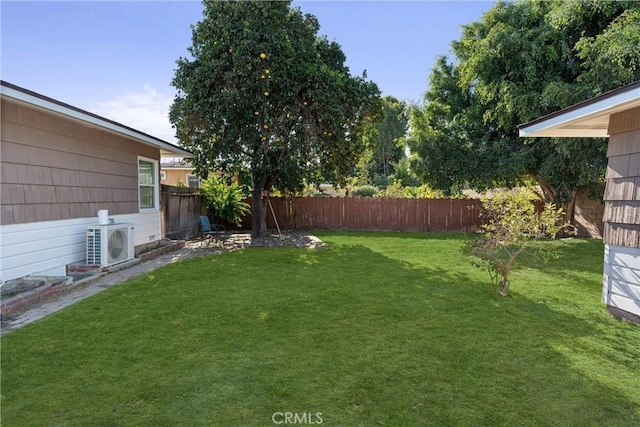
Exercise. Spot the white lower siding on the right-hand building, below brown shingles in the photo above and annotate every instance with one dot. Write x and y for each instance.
(621, 280)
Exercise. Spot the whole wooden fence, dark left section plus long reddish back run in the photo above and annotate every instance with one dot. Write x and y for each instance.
(181, 208)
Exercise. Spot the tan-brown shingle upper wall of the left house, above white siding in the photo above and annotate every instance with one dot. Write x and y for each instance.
(56, 168)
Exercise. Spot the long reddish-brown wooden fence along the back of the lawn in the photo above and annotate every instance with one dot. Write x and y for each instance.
(366, 213)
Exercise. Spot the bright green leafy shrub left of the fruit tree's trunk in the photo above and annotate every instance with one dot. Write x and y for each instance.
(225, 199)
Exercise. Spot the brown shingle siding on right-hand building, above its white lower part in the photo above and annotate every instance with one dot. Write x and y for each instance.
(622, 193)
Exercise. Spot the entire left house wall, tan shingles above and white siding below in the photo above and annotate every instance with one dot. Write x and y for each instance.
(56, 173)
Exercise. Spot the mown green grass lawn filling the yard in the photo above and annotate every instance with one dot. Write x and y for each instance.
(394, 329)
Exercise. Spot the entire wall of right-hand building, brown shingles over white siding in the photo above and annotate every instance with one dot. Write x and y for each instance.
(621, 279)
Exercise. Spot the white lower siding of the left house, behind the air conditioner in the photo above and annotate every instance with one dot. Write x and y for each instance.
(45, 248)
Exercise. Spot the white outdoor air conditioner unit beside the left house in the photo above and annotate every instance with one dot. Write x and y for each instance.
(110, 244)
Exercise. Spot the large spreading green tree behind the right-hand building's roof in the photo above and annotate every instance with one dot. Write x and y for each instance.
(522, 60)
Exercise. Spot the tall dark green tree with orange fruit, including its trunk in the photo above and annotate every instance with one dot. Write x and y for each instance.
(263, 94)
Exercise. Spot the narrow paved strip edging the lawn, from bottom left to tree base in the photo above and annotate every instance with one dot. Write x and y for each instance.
(193, 249)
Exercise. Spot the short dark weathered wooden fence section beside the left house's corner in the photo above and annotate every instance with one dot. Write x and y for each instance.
(181, 208)
